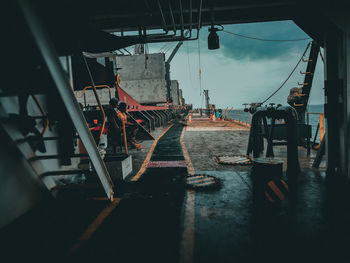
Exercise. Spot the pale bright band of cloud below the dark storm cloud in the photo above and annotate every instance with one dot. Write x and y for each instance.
(234, 82)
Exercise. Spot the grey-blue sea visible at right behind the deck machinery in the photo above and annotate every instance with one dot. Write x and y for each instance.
(239, 114)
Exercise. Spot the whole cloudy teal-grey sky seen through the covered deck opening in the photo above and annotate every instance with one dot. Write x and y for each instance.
(243, 70)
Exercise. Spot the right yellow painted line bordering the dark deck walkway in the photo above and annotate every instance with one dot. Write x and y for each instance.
(187, 242)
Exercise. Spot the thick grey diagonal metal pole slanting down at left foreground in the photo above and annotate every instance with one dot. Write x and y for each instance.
(50, 57)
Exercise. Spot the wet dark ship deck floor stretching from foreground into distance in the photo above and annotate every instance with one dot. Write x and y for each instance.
(159, 220)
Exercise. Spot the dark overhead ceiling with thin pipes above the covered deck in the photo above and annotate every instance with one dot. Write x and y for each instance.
(86, 24)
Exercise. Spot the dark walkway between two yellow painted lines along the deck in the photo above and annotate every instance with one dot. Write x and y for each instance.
(146, 225)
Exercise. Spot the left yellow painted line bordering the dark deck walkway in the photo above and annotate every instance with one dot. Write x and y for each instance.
(106, 211)
